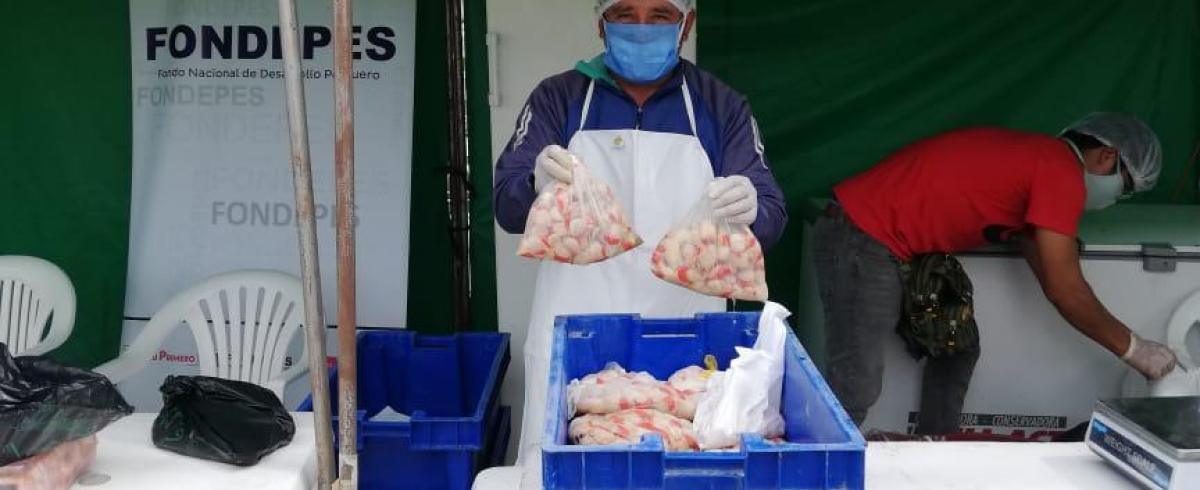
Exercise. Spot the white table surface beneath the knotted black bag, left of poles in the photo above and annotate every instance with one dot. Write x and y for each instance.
(130, 462)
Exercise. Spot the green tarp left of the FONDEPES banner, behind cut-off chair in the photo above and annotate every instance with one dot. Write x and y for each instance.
(65, 156)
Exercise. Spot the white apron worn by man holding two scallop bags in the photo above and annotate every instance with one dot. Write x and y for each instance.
(658, 178)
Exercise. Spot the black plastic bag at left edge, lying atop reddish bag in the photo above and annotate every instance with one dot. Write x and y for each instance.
(45, 404)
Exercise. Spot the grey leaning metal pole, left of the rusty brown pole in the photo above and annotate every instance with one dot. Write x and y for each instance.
(307, 225)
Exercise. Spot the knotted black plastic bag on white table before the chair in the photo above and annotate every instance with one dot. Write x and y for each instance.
(221, 420)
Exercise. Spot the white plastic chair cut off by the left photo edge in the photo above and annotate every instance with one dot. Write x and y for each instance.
(38, 306)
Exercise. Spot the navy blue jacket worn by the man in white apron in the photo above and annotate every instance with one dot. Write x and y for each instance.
(727, 130)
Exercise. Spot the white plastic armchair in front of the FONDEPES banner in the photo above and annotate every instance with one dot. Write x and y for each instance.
(243, 324)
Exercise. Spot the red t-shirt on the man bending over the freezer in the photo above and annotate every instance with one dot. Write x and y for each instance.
(963, 189)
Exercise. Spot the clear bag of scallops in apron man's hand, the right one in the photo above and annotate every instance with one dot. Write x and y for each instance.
(711, 256)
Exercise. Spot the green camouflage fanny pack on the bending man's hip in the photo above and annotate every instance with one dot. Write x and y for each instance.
(938, 318)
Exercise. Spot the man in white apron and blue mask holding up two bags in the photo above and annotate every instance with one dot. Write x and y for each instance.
(664, 135)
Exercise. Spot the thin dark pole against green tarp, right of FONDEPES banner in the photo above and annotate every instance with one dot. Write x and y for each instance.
(458, 178)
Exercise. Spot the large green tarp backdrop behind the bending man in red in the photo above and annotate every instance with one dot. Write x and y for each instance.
(838, 85)
